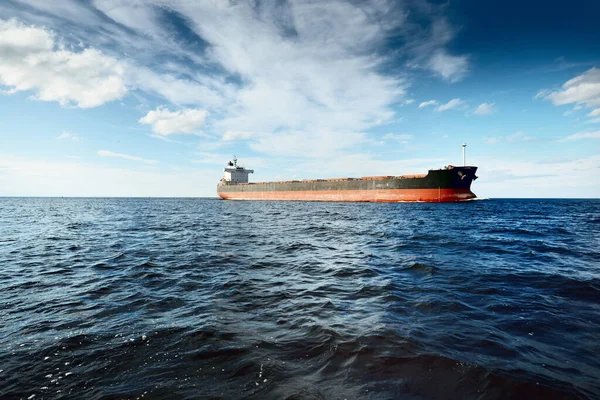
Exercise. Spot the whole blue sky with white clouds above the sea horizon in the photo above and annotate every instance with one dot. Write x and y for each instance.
(154, 97)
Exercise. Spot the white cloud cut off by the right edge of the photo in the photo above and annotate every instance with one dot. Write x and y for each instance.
(583, 89)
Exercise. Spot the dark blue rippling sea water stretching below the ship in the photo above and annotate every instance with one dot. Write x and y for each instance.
(202, 298)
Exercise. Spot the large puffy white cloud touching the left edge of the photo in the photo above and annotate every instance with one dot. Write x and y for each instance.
(32, 59)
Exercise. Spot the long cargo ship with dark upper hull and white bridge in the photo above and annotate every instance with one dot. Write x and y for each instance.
(446, 184)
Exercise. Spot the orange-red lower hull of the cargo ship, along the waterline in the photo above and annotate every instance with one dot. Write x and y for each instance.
(383, 195)
